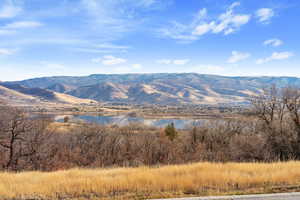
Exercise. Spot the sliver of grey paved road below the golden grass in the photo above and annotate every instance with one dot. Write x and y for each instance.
(282, 196)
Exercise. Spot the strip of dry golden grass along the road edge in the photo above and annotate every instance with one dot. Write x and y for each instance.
(144, 182)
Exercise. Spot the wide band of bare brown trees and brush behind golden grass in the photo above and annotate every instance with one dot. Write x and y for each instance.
(273, 134)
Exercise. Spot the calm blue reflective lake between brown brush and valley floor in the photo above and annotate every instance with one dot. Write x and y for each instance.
(123, 120)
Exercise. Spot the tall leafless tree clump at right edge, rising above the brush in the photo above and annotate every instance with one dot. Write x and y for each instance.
(279, 110)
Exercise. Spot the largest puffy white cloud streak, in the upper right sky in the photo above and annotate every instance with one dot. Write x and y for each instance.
(226, 23)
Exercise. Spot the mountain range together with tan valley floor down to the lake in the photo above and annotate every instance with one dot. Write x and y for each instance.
(156, 96)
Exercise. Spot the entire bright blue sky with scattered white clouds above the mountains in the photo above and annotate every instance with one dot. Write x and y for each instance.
(81, 37)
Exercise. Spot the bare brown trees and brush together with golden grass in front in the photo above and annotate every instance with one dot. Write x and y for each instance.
(271, 134)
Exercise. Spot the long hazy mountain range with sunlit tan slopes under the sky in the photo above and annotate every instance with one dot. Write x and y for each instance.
(164, 88)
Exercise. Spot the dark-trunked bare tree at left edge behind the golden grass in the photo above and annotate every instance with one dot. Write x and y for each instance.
(20, 137)
